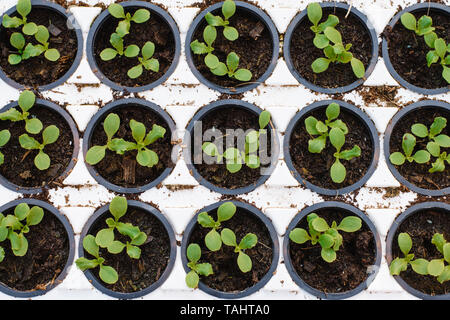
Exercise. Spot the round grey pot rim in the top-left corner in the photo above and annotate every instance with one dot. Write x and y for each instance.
(76, 62)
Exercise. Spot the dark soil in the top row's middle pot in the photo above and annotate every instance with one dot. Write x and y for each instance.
(254, 47)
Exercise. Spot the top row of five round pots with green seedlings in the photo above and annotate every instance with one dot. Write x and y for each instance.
(231, 46)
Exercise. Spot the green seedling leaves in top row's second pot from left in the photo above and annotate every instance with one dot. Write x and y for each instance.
(146, 61)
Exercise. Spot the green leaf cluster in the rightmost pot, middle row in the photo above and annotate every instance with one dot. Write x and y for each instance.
(436, 142)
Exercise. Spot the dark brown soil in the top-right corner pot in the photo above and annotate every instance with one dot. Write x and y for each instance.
(408, 51)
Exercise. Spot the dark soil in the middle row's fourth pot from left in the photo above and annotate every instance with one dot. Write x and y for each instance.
(315, 167)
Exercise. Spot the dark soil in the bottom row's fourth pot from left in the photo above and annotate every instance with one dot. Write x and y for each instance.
(348, 271)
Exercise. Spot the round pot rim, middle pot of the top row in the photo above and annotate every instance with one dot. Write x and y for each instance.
(264, 17)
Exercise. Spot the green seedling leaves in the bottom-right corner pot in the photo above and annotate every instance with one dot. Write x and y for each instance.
(435, 267)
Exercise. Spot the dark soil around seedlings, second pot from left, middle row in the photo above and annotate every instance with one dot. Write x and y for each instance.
(123, 170)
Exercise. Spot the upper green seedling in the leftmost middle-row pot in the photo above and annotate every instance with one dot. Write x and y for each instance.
(26, 101)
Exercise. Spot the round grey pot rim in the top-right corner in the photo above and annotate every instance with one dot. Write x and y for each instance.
(385, 49)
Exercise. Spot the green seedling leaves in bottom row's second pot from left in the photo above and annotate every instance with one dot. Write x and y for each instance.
(105, 239)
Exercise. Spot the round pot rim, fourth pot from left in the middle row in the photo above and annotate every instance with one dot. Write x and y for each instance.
(365, 119)
